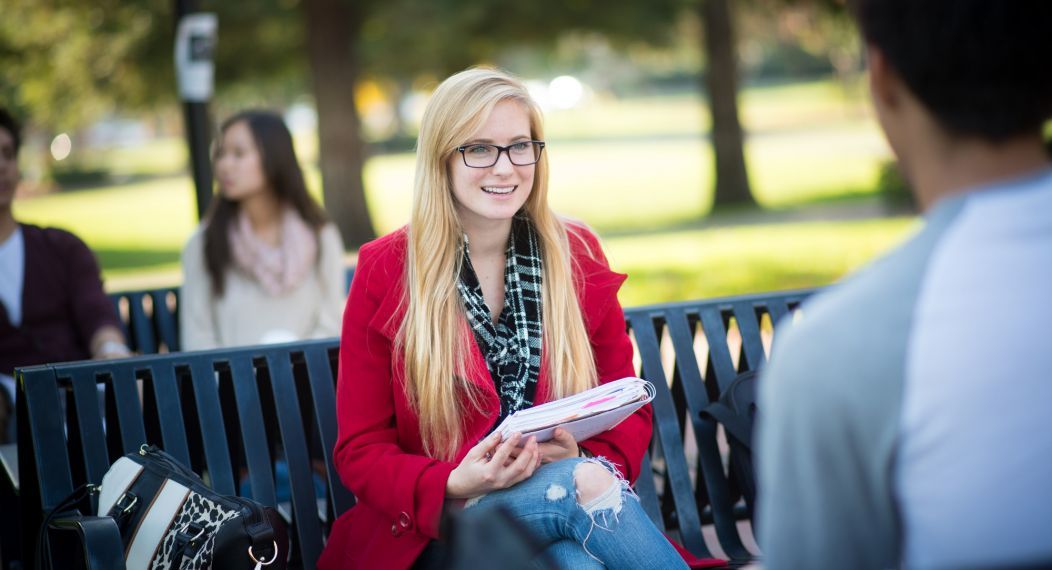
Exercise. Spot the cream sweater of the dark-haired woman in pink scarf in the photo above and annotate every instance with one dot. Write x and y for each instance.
(247, 315)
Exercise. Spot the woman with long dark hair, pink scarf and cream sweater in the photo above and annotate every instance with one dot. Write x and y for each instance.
(266, 266)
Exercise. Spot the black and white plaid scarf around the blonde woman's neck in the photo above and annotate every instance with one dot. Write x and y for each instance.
(513, 347)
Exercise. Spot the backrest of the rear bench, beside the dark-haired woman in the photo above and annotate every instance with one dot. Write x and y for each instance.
(150, 318)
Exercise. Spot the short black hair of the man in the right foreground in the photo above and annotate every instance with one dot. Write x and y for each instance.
(983, 68)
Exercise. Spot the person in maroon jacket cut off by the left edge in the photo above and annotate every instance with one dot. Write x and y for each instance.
(53, 308)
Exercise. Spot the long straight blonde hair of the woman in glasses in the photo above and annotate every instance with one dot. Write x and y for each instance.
(435, 337)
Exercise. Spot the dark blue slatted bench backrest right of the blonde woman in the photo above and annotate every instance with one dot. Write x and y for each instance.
(692, 352)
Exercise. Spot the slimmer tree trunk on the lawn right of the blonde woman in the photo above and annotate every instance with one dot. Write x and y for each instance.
(721, 83)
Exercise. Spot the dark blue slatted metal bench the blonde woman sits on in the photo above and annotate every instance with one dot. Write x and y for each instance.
(230, 414)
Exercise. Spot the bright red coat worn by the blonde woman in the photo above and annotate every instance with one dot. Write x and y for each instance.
(379, 455)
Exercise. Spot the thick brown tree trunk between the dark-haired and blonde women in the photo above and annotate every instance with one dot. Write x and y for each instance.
(333, 30)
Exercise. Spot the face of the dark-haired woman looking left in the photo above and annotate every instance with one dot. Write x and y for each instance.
(239, 166)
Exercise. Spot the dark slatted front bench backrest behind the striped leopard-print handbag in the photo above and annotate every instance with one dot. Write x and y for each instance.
(228, 414)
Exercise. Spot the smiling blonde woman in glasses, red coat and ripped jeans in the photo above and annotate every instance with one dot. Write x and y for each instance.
(485, 304)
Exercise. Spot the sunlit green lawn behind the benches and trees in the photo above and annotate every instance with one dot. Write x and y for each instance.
(633, 170)
